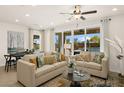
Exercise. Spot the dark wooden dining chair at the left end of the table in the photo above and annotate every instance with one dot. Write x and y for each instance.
(9, 62)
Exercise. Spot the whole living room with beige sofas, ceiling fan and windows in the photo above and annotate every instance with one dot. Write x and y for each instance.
(61, 45)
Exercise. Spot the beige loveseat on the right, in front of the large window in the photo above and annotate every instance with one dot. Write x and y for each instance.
(100, 70)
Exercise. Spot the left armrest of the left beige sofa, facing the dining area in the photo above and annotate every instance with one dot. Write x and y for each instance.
(26, 73)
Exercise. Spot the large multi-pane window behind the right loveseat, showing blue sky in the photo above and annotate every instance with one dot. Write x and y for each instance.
(87, 39)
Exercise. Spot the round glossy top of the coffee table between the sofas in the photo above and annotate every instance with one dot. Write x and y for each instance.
(83, 76)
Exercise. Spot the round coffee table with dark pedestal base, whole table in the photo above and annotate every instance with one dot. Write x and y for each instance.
(76, 78)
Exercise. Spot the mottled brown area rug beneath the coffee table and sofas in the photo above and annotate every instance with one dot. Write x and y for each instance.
(62, 82)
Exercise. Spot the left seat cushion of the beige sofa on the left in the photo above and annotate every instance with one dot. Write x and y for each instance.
(43, 70)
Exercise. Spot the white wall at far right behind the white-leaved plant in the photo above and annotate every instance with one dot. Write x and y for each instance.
(116, 28)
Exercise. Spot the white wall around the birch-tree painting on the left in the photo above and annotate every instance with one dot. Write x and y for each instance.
(4, 27)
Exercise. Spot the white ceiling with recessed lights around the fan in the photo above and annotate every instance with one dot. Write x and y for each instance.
(48, 15)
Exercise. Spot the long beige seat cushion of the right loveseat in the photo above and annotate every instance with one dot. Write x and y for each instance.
(90, 65)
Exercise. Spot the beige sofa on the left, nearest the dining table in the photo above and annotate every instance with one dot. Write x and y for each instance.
(28, 75)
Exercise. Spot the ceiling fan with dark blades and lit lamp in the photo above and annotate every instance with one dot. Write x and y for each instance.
(77, 14)
